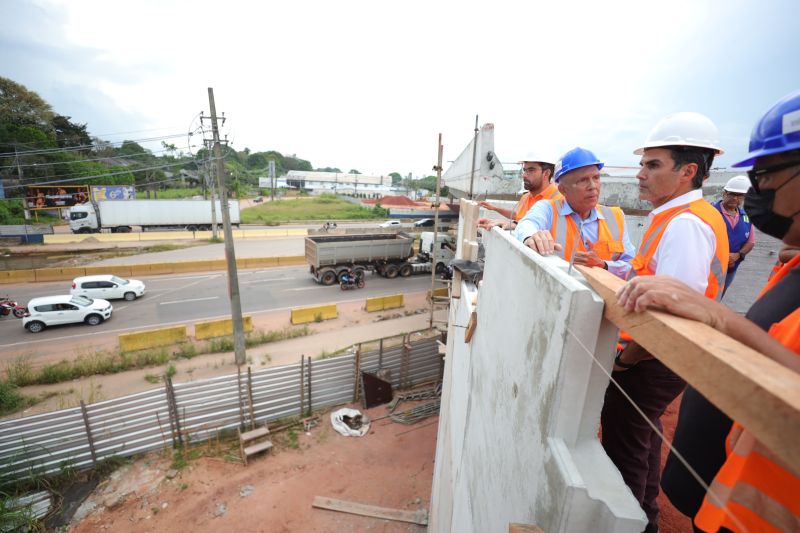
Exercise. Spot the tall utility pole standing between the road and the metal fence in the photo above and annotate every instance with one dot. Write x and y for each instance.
(230, 255)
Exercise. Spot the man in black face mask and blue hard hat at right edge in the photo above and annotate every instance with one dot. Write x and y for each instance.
(752, 490)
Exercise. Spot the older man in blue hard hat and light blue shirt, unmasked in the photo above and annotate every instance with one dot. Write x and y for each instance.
(576, 227)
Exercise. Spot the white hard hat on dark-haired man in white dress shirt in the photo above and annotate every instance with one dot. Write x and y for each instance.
(683, 129)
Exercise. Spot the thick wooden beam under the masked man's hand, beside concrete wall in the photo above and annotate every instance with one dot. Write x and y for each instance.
(754, 390)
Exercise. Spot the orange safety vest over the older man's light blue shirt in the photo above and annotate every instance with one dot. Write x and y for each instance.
(610, 232)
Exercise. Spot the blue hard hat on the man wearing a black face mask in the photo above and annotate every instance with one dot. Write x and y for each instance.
(777, 131)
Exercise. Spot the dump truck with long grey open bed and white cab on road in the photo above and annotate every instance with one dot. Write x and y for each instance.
(387, 254)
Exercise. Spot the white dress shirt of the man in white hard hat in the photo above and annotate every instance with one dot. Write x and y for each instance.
(687, 247)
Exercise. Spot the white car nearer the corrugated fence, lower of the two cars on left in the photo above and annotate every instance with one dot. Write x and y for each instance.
(66, 309)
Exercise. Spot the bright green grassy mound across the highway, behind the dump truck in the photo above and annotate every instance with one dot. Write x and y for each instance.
(324, 207)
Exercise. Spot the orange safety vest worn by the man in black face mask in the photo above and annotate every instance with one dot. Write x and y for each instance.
(754, 485)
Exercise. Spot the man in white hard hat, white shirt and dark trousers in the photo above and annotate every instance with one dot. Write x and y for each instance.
(686, 239)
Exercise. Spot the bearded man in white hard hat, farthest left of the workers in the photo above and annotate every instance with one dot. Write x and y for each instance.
(537, 171)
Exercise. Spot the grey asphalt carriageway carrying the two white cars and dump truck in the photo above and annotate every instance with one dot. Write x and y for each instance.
(193, 297)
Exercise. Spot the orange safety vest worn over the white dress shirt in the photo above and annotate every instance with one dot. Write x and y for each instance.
(655, 231)
